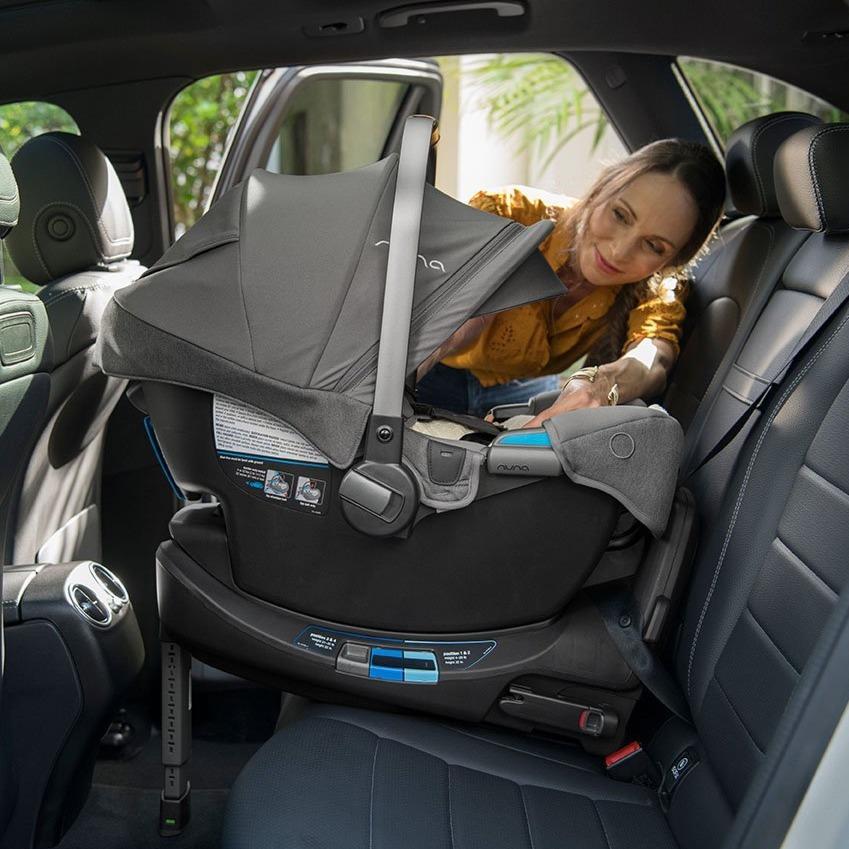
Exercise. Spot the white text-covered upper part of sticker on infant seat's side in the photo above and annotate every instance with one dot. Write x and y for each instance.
(245, 430)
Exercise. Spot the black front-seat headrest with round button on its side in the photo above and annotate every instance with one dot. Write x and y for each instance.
(74, 215)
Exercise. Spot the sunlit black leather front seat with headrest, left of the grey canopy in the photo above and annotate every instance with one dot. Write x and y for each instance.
(74, 238)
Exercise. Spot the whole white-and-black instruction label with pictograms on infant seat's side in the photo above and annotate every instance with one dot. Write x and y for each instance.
(267, 458)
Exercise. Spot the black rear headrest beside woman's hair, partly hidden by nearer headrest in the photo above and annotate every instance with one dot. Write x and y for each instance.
(749, 158)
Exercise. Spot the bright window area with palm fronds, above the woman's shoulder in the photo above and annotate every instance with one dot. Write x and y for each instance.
(525, 118)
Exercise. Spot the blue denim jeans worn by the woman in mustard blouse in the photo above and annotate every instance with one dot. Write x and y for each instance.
(461, 392)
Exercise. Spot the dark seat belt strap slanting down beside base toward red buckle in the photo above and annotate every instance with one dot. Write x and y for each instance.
(622, 619)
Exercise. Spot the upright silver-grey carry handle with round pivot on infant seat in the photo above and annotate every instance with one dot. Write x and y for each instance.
(379, 496)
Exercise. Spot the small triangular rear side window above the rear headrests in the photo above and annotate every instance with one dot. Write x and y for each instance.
(729, 96)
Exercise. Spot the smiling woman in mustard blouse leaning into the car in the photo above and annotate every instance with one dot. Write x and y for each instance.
(615, 251)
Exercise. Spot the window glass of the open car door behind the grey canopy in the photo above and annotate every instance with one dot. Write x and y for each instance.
(335, 124)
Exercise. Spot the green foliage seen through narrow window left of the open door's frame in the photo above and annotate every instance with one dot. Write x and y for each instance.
(202, 116)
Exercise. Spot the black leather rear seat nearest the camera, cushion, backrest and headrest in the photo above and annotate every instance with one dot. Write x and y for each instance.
(346, 778)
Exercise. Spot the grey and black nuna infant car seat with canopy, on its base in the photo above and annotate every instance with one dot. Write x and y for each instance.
(275, 383)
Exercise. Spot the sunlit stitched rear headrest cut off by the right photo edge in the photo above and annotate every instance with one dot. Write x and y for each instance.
(811, 175)
